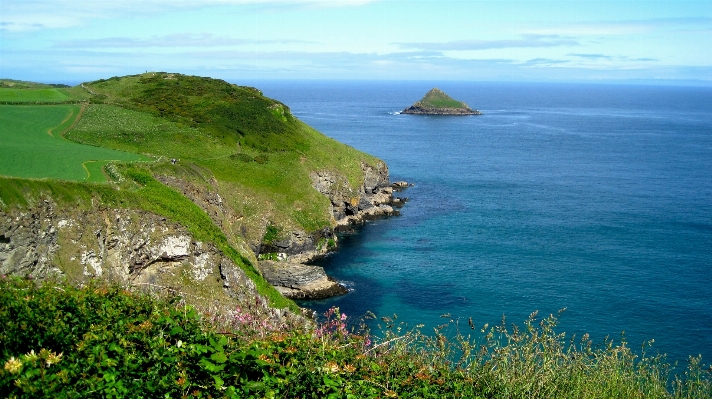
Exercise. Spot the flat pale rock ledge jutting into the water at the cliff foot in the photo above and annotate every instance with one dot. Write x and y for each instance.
(299, 281)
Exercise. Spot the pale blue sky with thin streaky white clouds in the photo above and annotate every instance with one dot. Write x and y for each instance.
(59, 41)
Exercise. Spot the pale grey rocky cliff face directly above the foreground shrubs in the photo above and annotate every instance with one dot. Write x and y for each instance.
(136, 248)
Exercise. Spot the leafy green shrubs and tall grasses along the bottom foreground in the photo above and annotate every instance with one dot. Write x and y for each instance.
(102, 341)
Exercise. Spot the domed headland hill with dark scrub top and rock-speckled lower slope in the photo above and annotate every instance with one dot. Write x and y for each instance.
(243, 157)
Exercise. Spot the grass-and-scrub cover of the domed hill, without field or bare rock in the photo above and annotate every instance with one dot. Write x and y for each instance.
(258, 152)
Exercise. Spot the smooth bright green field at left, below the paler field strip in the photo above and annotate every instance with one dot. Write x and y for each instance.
(31, 145)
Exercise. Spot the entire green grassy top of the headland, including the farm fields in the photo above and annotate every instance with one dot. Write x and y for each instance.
(162, 142)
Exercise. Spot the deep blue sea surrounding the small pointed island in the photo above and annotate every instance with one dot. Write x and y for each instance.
(593, 198)
